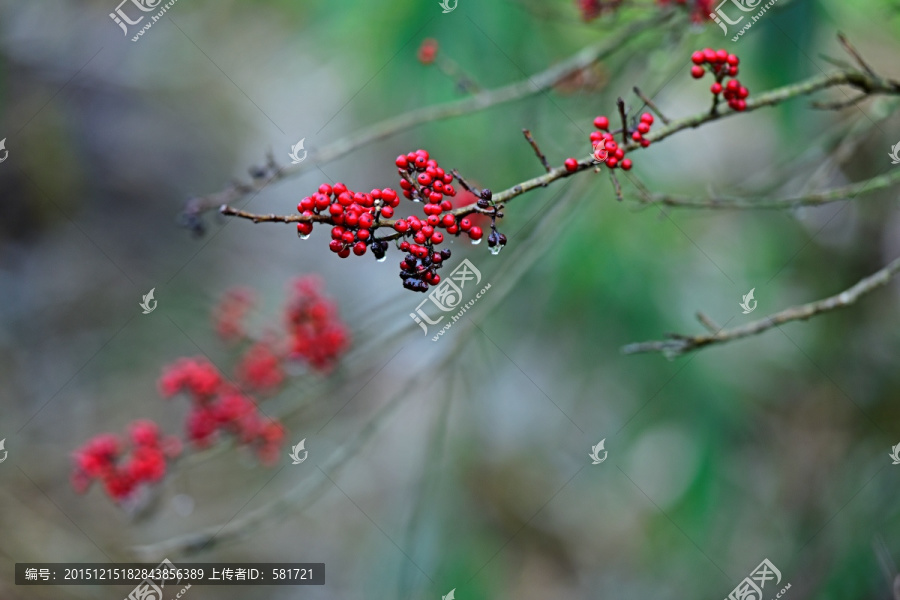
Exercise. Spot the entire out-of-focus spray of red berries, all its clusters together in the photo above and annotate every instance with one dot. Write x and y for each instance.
(221, 408)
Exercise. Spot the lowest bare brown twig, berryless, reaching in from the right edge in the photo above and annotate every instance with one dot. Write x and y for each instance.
(681, 344)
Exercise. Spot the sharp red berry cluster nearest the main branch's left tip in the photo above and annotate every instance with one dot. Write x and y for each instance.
(353, 215)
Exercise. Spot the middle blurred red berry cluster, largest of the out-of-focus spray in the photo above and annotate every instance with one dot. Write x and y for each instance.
(219, 406)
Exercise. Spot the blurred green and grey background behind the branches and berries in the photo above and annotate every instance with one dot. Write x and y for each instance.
(463, 463)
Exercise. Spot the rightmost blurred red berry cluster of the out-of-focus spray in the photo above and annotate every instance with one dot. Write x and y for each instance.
(316, 333)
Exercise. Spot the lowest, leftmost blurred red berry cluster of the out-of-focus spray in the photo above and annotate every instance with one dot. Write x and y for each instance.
(102, 458)
